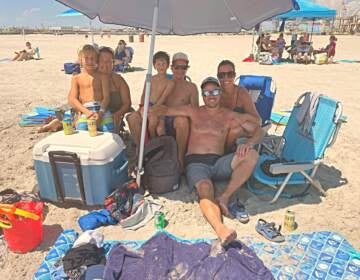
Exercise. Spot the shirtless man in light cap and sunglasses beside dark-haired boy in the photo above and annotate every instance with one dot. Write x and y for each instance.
(183, 93)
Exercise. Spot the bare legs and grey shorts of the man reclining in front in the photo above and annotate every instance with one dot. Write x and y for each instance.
(238, 167)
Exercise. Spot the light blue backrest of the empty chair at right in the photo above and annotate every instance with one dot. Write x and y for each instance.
(301, 147)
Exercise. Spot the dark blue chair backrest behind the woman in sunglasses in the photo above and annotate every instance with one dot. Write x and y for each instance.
(262, 90)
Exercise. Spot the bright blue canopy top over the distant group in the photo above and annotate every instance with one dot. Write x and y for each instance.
(309, 9)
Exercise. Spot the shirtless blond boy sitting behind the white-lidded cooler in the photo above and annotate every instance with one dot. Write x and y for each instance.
(89, 93)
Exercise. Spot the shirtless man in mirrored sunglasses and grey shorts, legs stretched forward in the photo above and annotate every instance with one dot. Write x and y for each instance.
(205, 158)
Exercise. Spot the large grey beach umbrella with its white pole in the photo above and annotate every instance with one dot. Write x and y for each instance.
(179, 17)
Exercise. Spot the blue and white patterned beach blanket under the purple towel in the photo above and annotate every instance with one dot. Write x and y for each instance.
(314, 255)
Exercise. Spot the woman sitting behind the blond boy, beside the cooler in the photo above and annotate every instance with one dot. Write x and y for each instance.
(120, 101)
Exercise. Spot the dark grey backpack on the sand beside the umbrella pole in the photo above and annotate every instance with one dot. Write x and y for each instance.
(161, 165)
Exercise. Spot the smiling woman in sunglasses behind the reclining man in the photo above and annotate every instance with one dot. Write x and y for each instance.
(234, 98)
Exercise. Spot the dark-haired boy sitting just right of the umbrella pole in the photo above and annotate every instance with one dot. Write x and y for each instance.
(161, 88)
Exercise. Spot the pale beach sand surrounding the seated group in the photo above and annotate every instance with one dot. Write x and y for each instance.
(25, 85)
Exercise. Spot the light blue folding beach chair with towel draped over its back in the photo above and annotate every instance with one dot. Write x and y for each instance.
(302, 150)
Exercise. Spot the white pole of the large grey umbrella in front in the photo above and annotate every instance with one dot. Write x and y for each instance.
(140, 170)
